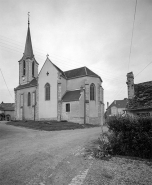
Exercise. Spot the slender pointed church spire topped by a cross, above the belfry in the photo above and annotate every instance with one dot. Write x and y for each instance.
(28, 52)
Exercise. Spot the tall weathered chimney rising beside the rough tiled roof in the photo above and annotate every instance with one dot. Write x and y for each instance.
(130, 84)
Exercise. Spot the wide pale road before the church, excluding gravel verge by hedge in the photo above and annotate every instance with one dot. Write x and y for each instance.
(31, 157)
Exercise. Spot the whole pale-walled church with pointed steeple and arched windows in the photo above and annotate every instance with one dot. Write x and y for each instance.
(52, 94)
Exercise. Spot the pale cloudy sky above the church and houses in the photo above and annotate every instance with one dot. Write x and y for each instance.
(76, 33)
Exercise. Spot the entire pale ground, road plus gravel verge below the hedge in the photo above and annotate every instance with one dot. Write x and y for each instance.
(32, 157)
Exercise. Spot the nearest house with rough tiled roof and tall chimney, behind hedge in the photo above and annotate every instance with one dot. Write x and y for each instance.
(139, 97)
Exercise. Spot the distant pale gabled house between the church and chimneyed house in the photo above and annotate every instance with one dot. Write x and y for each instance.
(117, 107)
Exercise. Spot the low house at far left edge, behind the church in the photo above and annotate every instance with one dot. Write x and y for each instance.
(7, 111)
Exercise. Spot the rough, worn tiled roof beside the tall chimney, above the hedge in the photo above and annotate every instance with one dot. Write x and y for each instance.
(142, 96)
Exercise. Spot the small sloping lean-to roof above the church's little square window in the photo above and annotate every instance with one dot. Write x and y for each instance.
(71, 96)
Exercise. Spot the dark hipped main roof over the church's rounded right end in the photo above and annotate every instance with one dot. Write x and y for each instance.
(79, 72)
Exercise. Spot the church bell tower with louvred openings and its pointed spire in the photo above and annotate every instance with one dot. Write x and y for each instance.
(28, 66)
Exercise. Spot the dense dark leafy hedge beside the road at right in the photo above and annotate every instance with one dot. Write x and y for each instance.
(130, 136)
